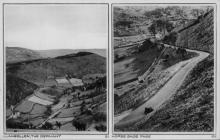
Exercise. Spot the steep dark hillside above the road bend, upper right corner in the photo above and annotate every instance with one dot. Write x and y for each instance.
(198, 35)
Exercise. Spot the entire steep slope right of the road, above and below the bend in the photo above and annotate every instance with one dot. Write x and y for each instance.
(191, 108)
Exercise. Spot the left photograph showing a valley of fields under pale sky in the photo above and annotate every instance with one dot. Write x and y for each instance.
(55, 71)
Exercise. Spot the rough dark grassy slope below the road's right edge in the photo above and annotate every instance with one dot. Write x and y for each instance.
(191, 108)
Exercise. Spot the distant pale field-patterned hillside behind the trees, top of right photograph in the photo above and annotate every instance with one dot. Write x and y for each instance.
(136, 20)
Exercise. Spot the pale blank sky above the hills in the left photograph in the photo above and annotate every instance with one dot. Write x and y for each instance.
(43, 27)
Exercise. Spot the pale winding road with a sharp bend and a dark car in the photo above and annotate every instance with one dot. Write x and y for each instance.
(164, 93)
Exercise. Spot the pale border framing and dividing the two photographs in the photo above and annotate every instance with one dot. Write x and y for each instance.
(110, 66)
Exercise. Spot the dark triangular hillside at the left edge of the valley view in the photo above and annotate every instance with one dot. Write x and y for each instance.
(17, 89)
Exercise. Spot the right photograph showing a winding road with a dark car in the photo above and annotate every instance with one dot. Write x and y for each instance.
(163, 58)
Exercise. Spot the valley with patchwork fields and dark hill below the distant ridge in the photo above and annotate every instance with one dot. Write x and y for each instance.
(65, 93)
